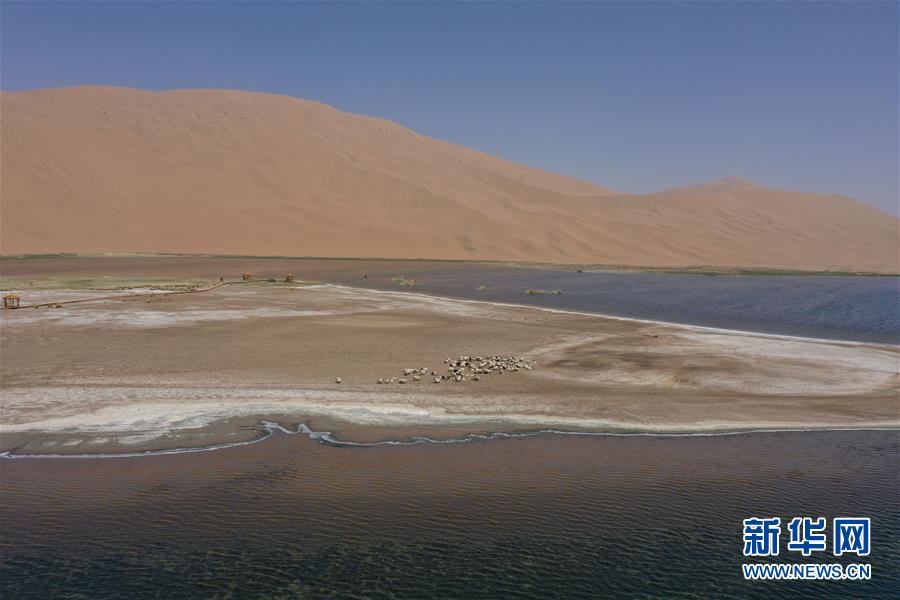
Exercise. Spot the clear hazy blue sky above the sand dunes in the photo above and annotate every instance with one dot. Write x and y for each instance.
(635, 96)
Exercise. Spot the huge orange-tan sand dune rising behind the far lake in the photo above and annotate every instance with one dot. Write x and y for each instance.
(100, 169)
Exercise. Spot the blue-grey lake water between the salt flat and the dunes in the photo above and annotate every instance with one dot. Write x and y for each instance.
(865, 309)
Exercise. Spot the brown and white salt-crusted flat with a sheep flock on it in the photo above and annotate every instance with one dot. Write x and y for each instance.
(195, 370)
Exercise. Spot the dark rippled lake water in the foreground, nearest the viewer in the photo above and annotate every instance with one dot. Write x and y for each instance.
(538, 517)
